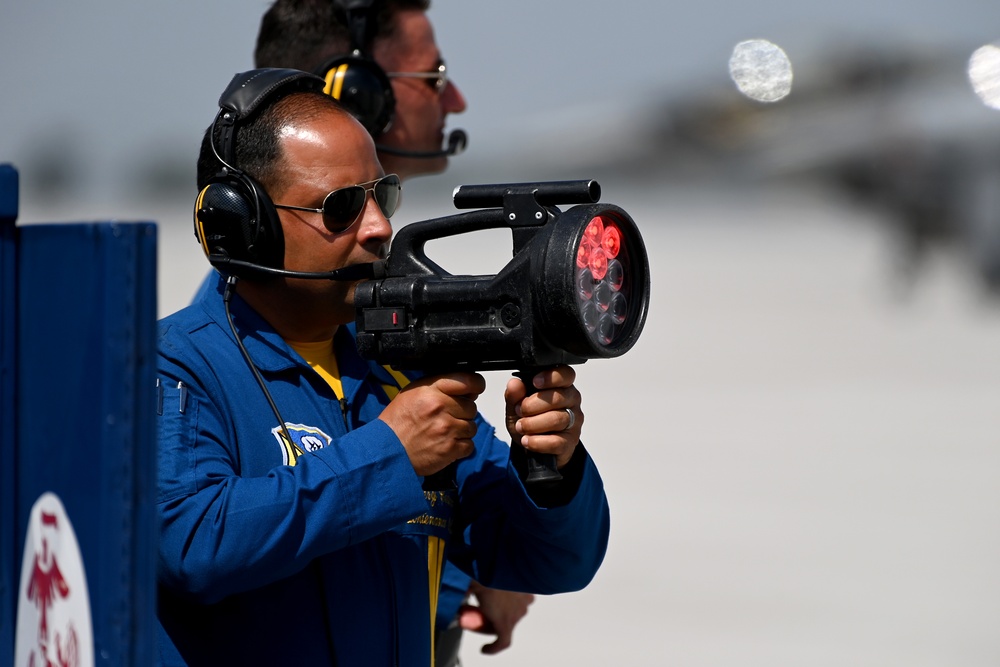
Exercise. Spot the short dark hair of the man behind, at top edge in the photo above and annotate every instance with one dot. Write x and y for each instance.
(302, 34)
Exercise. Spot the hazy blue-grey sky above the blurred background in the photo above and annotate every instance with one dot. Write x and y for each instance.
(108, 85)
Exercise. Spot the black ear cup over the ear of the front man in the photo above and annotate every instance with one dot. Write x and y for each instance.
(235, 219)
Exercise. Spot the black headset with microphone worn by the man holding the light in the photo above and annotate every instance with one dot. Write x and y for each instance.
(234, 218)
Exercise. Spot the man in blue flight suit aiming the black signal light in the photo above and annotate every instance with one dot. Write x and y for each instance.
(313, 541)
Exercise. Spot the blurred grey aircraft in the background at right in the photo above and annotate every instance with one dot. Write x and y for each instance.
(898, 130)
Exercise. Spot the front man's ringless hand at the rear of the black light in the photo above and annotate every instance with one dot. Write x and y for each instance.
(434, 418)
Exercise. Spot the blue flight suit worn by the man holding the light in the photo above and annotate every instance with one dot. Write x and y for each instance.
(316, 551)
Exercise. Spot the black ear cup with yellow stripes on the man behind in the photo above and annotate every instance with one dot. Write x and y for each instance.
(363, 88)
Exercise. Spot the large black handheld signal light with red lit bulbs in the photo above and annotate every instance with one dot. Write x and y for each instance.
(577, 288)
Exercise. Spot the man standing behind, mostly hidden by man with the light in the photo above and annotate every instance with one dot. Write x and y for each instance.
(394, 38)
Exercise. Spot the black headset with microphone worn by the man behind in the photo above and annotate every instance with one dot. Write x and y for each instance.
(363, 87)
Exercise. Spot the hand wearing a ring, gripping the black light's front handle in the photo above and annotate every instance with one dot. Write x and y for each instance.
(541, 422)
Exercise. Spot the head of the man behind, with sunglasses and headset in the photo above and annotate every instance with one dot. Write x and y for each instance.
(380, 59)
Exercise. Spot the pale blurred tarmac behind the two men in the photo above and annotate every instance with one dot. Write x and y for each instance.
(801, 453)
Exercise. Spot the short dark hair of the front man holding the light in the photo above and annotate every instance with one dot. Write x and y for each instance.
(256, 140)
